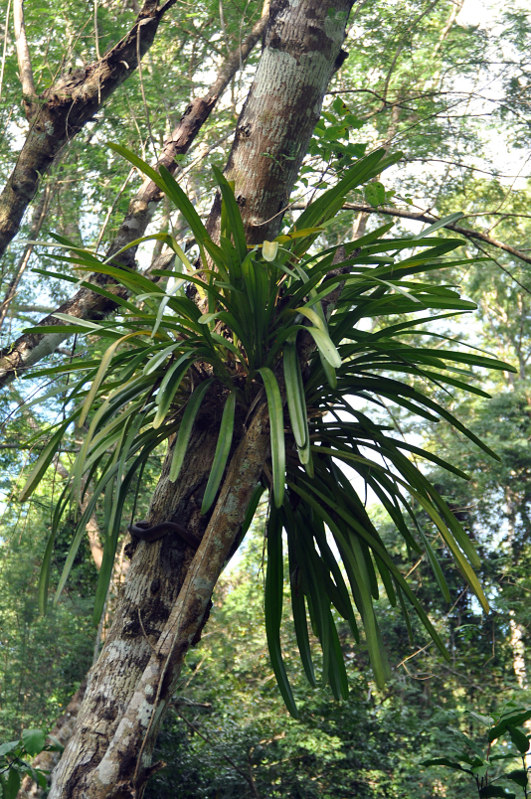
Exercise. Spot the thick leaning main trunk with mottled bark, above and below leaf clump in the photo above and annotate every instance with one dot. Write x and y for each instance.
(169, 585)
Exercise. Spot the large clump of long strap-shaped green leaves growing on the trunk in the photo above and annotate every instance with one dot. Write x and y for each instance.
(166, 356)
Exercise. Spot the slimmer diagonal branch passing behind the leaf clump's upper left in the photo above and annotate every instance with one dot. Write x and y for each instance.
(30, 348)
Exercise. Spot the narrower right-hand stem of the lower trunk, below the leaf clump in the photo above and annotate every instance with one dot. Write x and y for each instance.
(126, 762)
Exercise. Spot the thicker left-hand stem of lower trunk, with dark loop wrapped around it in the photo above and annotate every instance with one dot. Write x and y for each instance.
(150, 592)
